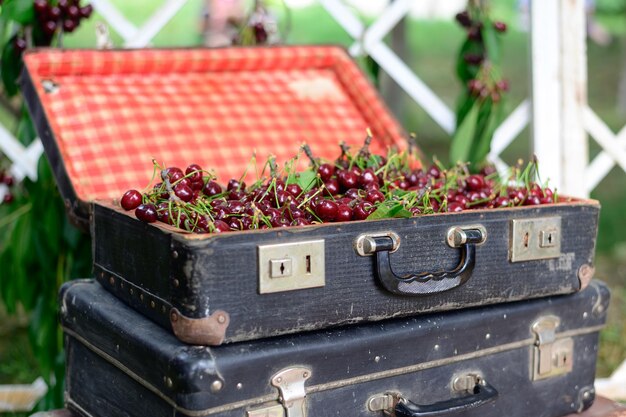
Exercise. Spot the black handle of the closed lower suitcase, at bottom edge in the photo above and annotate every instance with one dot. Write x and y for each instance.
(482, 394)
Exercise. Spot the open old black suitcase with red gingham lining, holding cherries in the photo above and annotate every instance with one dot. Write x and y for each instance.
(103, 115)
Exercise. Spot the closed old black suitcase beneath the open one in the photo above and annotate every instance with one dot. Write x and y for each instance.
(534, 358)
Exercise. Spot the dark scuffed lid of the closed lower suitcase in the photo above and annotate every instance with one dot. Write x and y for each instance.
(184, 375)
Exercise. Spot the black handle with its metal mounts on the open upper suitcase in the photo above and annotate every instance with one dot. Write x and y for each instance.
(412, 284)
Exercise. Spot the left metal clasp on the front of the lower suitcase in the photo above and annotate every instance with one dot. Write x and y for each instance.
(290, 383)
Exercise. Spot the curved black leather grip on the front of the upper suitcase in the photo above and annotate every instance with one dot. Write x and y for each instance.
(415, 284)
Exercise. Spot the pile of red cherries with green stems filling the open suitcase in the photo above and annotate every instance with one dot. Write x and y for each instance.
(353, 187)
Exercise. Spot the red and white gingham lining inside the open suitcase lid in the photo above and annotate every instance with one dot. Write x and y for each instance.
(114, 111)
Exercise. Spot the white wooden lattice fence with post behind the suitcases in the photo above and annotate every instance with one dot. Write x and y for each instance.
(557, 106)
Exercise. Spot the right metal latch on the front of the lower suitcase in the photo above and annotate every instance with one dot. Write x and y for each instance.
(551, 356)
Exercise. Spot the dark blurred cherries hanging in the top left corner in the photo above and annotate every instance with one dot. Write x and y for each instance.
(53, 16)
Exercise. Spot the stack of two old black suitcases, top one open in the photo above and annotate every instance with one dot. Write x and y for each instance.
(480, 313)
